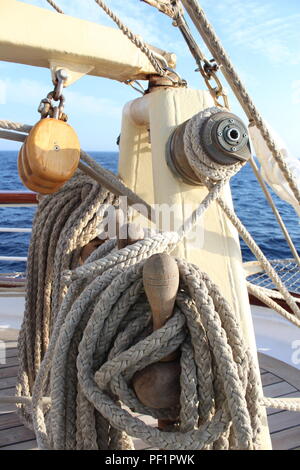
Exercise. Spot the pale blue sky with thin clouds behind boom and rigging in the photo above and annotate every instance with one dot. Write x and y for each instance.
(262, 38)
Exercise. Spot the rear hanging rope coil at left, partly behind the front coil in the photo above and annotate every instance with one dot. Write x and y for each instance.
(64, 223)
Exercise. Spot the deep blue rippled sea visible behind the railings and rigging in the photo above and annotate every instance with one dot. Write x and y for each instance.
(250, 205)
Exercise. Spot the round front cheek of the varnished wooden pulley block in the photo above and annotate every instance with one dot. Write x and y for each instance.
(53, 150)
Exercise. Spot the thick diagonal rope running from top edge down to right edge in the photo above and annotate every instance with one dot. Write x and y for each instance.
(223, 59)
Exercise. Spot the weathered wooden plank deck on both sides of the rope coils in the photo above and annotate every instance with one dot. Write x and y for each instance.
(277, 382)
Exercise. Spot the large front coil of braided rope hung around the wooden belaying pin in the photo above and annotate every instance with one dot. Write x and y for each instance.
(116, 342)
